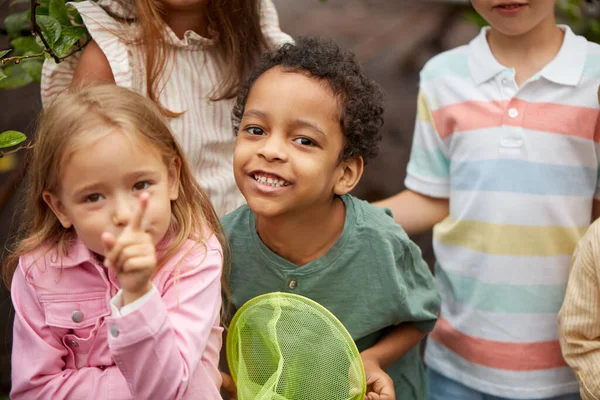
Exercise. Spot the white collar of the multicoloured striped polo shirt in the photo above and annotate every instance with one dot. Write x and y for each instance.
(566, 68)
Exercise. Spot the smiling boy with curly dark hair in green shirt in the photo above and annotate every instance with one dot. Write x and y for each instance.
(306, 122)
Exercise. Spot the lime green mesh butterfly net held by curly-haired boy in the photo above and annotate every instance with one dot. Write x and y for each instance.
(283, 346)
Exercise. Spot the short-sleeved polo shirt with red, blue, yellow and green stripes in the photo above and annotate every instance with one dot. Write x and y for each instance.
(520, 167)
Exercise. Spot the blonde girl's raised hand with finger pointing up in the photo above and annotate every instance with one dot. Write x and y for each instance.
(132, 255)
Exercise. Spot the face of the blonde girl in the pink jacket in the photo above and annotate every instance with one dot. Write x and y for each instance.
(100, 185)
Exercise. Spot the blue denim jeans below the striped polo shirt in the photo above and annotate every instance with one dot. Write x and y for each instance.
(443, 388)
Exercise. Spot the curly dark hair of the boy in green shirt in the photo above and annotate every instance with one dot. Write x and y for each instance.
(361, 99)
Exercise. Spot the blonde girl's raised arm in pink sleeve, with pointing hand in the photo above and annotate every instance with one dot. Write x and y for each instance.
(171, 329)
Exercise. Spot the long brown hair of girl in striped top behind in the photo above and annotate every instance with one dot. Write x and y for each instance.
(239, 41)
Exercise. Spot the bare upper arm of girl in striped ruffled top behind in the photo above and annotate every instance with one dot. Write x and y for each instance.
(93, 68)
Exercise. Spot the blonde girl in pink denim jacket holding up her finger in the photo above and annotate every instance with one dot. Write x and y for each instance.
(116, 278)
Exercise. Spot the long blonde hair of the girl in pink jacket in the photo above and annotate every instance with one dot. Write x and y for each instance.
(72, 117)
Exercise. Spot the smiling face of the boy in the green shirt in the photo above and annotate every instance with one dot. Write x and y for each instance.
(287, 153)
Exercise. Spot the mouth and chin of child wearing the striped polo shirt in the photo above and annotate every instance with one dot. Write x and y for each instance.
(515, 17)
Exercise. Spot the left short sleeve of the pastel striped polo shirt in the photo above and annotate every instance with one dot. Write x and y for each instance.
(428, 170)
